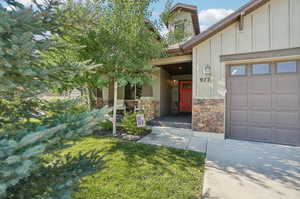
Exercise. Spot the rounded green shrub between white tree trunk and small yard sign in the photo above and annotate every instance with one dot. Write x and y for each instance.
(129, 125)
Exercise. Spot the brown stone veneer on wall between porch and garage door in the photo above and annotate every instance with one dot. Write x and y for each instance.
(208, 115)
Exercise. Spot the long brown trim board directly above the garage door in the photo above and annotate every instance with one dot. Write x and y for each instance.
(272, 54)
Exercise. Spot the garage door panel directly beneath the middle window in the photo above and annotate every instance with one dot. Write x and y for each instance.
(260, 85)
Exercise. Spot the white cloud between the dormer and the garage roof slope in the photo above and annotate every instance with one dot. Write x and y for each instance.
(212, 16)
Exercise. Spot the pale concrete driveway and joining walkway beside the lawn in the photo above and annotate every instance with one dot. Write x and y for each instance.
(238, 169)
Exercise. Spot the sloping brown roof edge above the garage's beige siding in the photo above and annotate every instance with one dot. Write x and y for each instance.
(227, 21)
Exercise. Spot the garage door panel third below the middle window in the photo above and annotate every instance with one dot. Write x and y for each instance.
(260, 117)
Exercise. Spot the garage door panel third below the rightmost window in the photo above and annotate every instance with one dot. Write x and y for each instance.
(286, 119)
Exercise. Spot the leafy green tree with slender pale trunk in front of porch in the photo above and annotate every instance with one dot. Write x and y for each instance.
(116, 34)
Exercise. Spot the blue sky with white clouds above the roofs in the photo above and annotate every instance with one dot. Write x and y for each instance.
(209, 11)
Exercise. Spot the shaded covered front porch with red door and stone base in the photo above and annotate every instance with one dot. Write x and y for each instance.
(168, 98)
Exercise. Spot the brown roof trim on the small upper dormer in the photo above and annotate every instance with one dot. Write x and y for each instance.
(191, 9)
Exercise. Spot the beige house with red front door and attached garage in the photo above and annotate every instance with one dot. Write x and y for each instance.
(240, 77)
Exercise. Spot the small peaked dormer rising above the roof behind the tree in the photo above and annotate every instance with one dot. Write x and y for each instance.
(184, 17)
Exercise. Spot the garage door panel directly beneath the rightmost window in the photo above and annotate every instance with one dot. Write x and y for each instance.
(285, 84)
